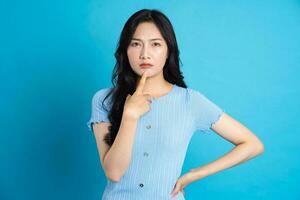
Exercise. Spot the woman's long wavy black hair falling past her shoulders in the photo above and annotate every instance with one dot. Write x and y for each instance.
(124, 78)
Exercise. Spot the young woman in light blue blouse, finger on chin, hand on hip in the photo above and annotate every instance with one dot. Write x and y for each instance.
(143, 124)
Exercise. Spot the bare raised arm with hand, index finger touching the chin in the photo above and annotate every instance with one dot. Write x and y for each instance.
(116, 159)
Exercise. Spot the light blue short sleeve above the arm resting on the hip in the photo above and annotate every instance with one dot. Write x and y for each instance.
(205, 112)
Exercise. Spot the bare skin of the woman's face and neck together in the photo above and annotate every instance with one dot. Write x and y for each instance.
(148, 45)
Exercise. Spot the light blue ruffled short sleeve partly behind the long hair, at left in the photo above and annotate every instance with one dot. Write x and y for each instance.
(98, 112)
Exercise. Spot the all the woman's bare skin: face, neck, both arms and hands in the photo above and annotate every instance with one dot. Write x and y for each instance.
(153, 84)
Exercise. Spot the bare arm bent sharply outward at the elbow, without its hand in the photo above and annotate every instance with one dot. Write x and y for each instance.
(247, 147)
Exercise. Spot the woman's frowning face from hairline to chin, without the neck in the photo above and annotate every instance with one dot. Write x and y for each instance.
(147, 46)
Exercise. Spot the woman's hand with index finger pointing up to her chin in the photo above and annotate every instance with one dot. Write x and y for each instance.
(138, 103)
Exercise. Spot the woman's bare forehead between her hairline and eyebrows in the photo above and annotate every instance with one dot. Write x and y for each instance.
(147, 30)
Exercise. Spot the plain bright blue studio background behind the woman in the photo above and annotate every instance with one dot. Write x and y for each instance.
(54, 55)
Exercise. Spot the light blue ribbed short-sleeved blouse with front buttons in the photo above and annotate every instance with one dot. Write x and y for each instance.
(161, 141)
